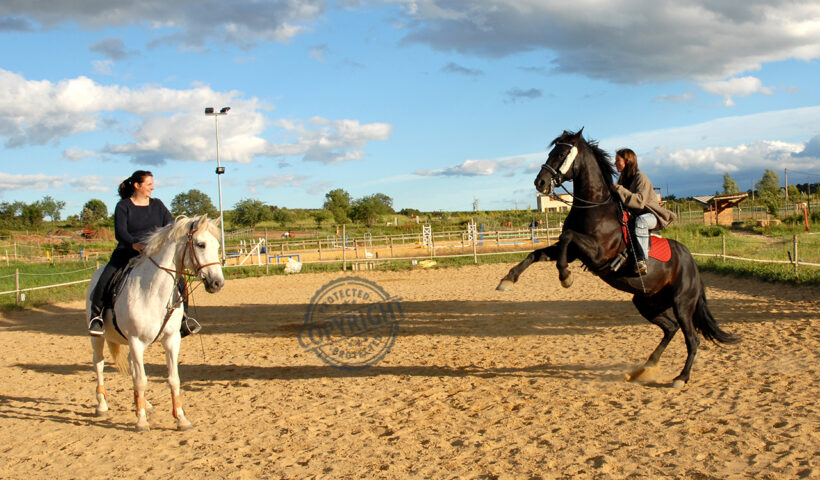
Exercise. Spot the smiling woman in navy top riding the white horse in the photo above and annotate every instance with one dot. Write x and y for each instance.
(136, 216)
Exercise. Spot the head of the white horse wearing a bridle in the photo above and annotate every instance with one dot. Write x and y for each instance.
(203, 253)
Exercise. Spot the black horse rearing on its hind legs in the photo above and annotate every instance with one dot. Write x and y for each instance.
(670, 295)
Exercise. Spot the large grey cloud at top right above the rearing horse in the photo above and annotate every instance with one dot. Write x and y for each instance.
(631, 42)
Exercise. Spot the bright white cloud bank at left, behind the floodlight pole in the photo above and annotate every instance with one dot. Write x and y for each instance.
(171, 123)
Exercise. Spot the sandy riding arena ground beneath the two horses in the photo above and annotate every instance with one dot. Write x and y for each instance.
(479, 384)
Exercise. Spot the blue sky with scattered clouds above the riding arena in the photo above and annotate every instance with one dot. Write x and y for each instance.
(432, 102)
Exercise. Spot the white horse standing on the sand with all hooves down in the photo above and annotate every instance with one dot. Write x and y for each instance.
(149, 307)
